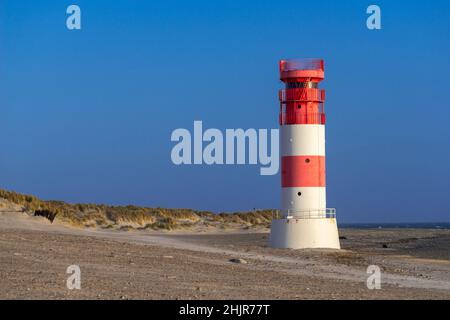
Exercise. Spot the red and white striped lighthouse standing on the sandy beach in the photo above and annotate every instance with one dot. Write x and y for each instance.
(304, 220)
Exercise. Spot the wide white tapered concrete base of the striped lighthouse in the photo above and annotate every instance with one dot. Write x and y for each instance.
(301, 233)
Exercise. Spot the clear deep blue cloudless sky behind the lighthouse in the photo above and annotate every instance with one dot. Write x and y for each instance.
(86, 116)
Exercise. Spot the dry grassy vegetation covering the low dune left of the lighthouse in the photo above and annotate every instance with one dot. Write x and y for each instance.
(133, 217)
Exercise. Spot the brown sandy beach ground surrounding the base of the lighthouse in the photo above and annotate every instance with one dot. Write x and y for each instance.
(34, 256)
